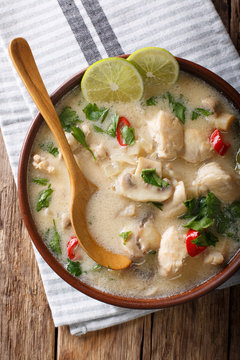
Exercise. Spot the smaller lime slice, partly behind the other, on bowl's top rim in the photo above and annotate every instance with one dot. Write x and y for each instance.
(156, 65)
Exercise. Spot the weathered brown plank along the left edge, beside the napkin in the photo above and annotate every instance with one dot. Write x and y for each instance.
(26, 330)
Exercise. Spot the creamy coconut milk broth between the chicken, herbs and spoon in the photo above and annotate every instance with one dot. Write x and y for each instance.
(142, 279)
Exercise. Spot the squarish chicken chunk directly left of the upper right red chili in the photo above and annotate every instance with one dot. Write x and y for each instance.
(197, 146)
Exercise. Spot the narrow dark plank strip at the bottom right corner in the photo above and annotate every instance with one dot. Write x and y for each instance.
(234, 330)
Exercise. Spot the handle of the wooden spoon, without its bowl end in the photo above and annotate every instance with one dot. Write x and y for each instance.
(26, 67)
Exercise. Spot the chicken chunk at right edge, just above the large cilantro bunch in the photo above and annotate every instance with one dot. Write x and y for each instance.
(213, 178)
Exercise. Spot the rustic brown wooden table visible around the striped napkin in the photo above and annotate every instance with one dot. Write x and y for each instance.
(205, 329)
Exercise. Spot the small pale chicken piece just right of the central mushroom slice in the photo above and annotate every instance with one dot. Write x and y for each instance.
(175, 205)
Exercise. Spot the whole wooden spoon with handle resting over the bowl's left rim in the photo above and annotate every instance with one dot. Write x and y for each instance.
(81, 188)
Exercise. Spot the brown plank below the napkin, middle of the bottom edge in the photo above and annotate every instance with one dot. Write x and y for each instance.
(122, 342)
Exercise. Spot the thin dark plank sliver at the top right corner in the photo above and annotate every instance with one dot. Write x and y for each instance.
(235, 23)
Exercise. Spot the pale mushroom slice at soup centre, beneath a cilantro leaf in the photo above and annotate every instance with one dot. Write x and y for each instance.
(133, 187)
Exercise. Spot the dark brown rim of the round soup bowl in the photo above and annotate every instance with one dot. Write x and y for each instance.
(199, 71)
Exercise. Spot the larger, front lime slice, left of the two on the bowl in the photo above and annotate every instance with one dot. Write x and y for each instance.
(112, 79)
